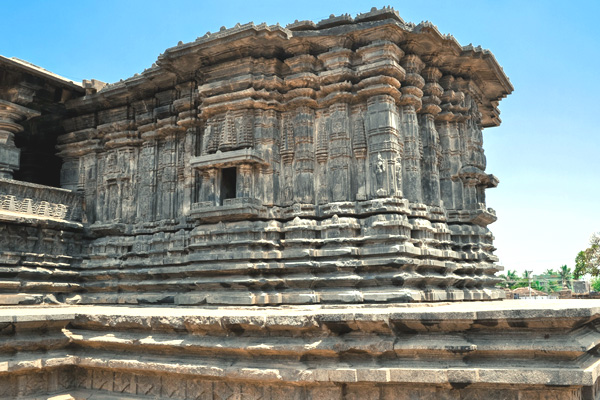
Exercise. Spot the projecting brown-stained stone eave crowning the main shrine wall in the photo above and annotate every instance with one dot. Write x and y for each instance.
(192, 61)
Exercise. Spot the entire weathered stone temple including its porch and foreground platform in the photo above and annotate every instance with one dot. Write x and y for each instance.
(315, 191)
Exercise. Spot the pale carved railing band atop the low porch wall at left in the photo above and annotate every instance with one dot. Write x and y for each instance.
(39, 200)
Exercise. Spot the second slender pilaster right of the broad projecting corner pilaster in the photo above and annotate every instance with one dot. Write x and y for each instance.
(431, 149)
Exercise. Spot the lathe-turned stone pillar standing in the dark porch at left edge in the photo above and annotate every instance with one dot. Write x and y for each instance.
(10, 116)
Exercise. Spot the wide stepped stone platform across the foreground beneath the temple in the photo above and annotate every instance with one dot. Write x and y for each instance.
(509, 350)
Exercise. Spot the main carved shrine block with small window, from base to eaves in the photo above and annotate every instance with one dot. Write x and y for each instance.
(333, 162)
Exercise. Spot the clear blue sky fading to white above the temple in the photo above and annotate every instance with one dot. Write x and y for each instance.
(546, 152)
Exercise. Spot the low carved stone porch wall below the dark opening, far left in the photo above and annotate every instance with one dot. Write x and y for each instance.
(41, 243)
